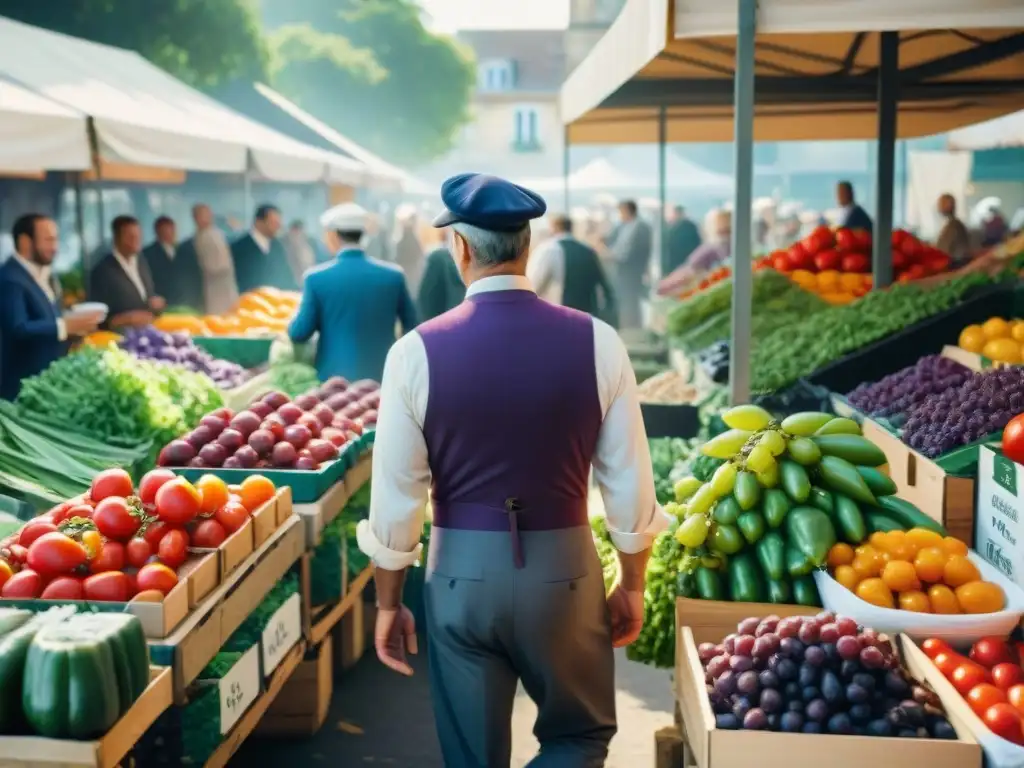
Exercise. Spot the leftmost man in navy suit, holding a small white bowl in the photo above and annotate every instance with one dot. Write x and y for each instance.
(33, 332)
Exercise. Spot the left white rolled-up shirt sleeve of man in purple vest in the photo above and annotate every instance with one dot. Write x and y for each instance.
(401, 479)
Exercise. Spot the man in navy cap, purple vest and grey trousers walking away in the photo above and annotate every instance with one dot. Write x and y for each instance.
(499, 409)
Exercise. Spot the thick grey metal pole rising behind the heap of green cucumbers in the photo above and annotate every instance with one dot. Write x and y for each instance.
(743, 276)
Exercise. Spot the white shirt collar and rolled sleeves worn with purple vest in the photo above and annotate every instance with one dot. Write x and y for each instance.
(402, 474)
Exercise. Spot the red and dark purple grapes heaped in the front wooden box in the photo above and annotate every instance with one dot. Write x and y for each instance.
(822, 674)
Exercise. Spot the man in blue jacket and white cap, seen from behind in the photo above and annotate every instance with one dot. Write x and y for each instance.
(354, 303)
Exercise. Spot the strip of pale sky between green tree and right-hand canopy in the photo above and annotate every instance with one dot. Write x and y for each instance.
(498, 15)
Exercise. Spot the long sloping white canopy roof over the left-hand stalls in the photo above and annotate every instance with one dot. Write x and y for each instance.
(143, 116)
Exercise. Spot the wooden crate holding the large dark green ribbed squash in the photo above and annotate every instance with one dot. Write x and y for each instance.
(111, 751)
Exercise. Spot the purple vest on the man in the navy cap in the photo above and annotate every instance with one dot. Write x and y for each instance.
(514, 413)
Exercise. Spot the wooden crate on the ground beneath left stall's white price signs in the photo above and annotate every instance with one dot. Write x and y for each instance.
(301, 709)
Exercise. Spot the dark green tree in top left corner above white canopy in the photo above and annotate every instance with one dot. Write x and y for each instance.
(204, 44)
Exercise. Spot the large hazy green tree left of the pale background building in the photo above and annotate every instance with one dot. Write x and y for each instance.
(372, 71)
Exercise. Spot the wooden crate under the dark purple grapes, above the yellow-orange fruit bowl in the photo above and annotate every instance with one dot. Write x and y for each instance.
(946, 499)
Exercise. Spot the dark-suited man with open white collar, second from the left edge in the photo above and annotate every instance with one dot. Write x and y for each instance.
(122, 279)
